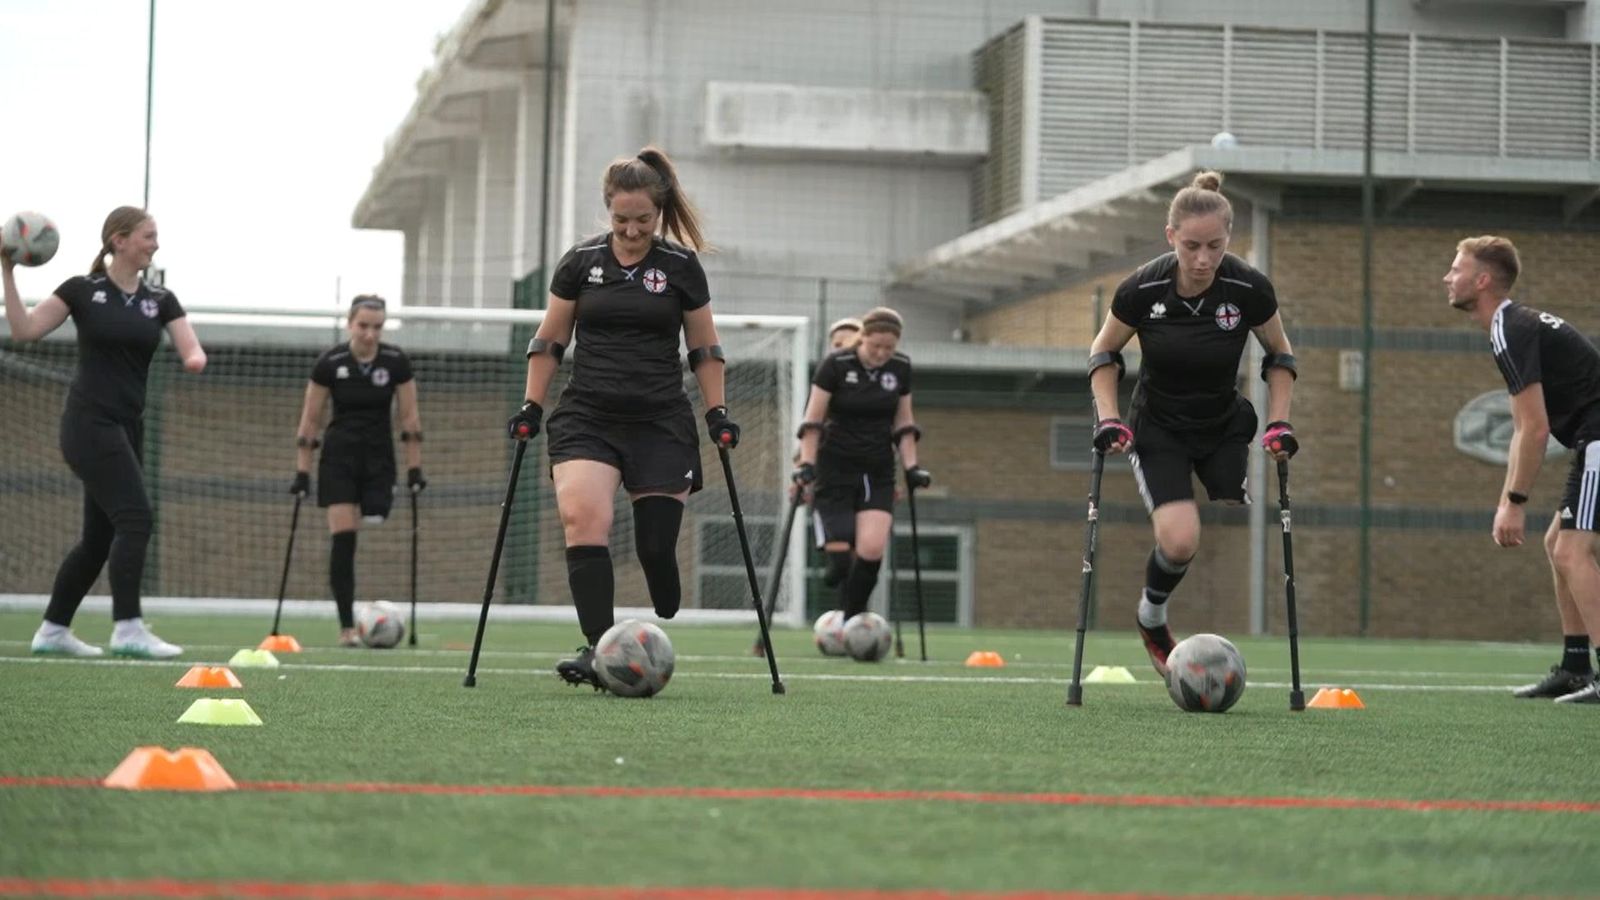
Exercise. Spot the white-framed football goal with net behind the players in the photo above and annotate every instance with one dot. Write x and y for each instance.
(220, 457)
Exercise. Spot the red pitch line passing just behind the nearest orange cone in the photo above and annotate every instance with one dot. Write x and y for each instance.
(863, 797)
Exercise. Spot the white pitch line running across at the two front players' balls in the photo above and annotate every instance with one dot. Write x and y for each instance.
(714, 675)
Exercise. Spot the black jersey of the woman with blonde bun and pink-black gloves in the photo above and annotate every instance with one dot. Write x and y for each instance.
(1191, 347)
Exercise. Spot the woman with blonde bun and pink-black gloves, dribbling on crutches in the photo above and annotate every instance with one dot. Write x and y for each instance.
(1194, 310)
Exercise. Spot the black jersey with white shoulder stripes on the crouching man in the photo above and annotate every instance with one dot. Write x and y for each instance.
(1538, 348)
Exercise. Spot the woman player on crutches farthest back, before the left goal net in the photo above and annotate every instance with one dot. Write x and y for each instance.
(356, 475)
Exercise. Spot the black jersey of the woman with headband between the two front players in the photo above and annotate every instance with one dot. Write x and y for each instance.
(862, 404)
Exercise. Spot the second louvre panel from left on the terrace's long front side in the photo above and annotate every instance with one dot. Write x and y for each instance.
(1180, 90)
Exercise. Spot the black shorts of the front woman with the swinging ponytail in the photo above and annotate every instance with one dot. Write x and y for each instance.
(657, 456)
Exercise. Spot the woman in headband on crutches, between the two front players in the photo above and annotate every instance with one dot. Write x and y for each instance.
(858, 414)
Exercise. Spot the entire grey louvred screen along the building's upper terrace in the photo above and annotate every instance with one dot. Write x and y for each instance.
(1121, 94)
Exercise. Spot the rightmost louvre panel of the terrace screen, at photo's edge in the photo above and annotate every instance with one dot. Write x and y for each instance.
(1548, 102)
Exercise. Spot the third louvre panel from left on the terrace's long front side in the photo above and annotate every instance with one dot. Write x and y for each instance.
(1274, 98)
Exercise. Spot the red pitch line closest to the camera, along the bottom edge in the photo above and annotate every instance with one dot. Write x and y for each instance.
(174, 890)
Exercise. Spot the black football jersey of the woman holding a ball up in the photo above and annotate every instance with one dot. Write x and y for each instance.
(118, 339)
